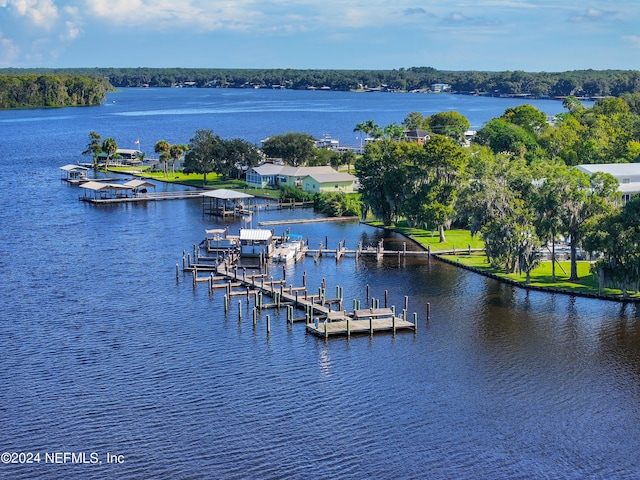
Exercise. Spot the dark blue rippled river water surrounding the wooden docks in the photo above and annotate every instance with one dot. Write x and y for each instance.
(106, 357)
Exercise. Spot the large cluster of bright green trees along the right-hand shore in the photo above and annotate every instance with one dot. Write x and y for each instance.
(517, 189)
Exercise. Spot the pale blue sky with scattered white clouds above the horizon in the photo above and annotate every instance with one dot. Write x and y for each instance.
(486, 35)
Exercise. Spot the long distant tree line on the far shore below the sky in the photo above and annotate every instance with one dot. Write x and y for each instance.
(589, 83)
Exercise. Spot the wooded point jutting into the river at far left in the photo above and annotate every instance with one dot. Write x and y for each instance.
(51, 90)
